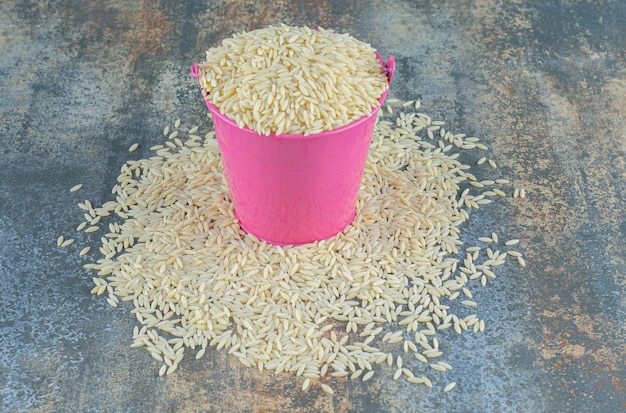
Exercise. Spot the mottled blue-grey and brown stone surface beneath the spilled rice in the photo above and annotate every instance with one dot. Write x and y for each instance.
(542, 83)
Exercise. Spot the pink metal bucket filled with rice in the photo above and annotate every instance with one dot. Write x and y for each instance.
(295, 189)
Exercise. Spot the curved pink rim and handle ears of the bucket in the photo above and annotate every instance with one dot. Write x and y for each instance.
(388, 67)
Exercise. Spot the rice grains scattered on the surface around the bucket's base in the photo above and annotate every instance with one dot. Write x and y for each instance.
(382, 291)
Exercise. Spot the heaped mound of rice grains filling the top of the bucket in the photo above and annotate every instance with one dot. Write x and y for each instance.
(292, 80)
